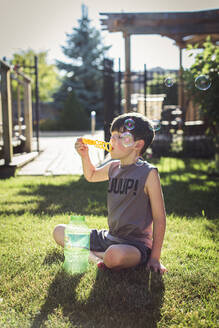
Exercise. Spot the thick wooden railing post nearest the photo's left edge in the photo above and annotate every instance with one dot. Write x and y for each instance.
(6, 112)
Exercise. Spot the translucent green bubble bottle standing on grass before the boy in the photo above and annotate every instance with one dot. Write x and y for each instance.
(76, 245)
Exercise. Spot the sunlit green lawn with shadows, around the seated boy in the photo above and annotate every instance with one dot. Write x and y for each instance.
(36, 292)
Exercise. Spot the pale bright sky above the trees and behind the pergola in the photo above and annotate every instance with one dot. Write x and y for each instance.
(42, 26)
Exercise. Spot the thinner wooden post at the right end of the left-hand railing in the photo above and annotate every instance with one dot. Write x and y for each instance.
(28, 115)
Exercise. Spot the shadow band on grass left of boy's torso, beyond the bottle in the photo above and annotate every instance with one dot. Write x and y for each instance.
(76, 195)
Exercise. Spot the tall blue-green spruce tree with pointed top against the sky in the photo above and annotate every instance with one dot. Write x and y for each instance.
(84, 68)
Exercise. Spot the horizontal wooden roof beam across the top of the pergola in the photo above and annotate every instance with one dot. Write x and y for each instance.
(168, 23)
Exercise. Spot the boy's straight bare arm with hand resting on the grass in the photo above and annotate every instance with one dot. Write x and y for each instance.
(154, 191)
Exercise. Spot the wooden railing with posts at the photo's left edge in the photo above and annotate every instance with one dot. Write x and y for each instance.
(14, 132)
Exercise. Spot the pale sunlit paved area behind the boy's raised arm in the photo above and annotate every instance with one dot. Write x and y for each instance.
(58, 156)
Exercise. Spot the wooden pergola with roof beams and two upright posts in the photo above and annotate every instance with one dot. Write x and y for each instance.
(182, 27)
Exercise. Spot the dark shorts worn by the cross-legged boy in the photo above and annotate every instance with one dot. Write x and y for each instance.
(99, 243)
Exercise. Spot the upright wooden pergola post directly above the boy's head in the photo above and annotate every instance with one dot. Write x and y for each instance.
(127, 76)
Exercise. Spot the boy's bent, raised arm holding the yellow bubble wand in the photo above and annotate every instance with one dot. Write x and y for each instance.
(91, 173)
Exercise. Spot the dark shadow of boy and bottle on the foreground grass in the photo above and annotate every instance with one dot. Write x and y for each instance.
(129, 298)
